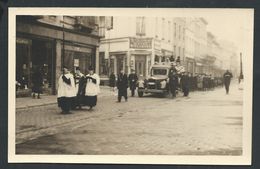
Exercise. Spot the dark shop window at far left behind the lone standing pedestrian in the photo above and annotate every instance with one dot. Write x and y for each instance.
(31, 54)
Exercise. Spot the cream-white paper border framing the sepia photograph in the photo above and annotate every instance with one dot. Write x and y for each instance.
(244, 159)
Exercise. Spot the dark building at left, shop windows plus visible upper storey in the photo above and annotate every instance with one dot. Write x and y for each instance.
(49, 42)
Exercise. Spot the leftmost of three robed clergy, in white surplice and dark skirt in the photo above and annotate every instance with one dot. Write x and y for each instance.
(66, 91)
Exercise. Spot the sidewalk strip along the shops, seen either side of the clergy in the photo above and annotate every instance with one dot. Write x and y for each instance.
(28, 102)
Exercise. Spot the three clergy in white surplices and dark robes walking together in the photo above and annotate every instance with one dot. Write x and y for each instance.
(75, 91)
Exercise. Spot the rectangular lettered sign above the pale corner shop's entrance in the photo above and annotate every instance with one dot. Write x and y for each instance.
(141, 43)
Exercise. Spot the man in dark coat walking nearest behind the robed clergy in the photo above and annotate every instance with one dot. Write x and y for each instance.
(122, 85)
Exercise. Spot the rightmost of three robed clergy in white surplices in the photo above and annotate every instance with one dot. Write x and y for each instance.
(92, 89)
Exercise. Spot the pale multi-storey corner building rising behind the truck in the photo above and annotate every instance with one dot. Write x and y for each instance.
(144, 41)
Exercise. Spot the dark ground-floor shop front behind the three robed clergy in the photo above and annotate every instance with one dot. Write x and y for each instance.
(40, 46)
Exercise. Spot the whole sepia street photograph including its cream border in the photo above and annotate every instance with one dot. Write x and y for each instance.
(159, 86)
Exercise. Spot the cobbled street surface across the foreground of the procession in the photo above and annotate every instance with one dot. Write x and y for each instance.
(205, 123)
